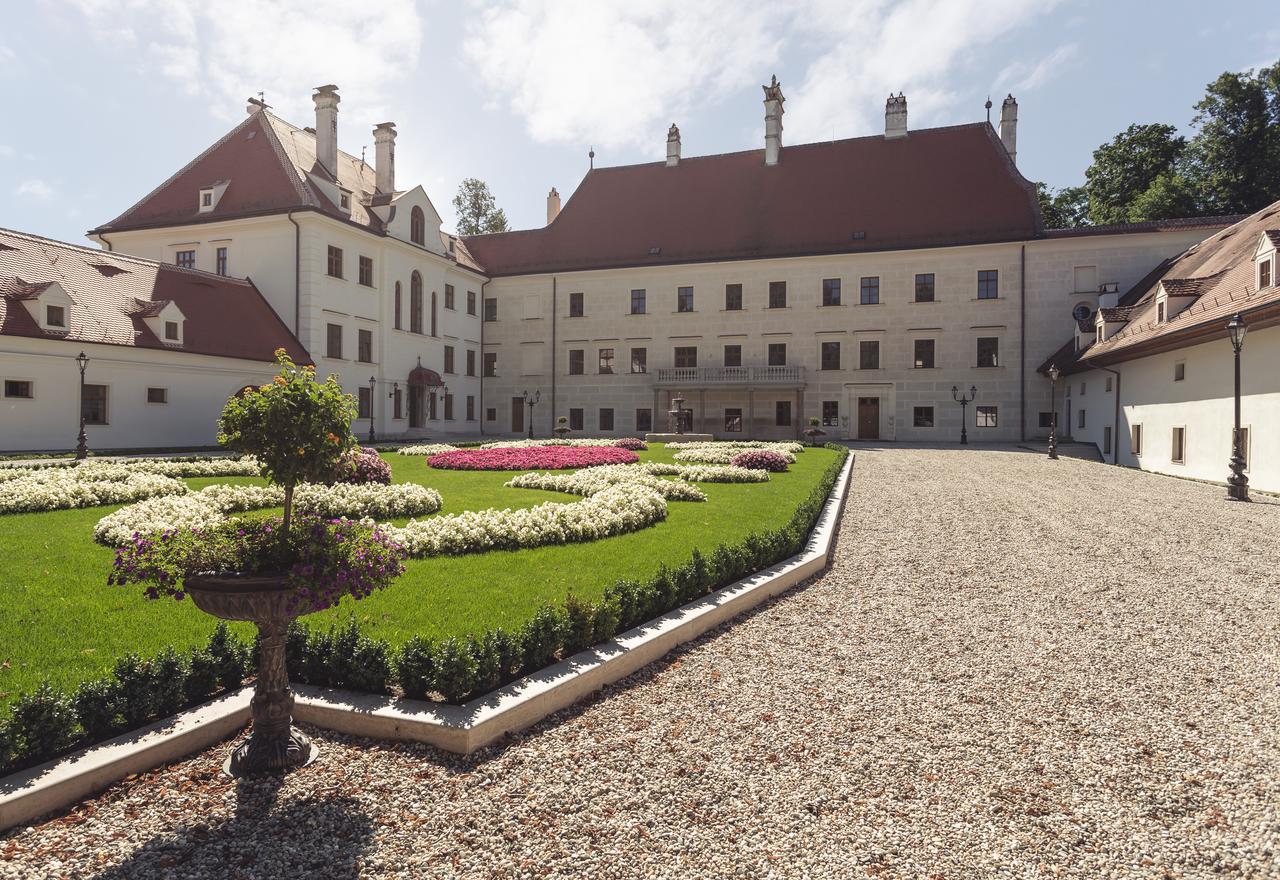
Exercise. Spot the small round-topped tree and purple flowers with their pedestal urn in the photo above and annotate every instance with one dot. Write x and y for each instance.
(269, 571)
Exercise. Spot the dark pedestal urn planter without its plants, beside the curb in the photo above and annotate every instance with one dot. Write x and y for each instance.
(275, 744)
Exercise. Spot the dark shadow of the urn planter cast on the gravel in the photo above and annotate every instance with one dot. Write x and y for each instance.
(307, 838)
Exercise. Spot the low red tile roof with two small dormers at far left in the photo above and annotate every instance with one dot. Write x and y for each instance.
(225, 317)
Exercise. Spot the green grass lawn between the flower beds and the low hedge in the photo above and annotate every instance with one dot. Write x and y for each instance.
(60, 620)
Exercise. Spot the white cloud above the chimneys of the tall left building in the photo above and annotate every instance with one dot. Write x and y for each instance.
(227, 51)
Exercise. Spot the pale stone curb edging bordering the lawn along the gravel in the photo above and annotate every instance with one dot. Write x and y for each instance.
(461, 730)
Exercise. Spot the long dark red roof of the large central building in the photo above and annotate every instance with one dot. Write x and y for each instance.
(935, 187)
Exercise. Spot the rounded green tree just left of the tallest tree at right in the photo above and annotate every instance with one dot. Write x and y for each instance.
(1127, 167)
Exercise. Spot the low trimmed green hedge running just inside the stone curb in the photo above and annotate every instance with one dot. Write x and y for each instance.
(51, 722)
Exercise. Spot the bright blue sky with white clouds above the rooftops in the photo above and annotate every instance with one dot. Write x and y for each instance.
(106, 99)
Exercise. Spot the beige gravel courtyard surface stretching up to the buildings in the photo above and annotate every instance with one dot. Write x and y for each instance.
(1016, 666)
